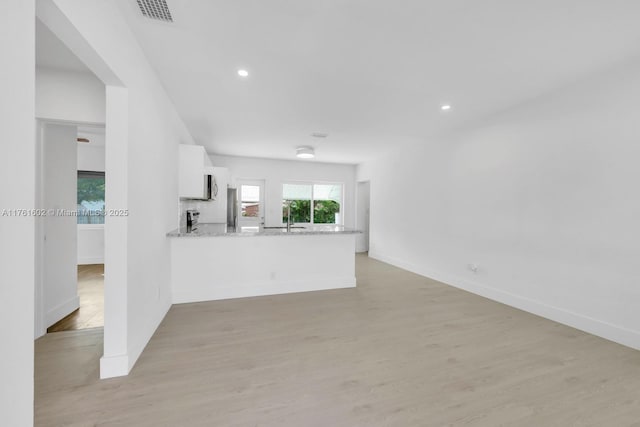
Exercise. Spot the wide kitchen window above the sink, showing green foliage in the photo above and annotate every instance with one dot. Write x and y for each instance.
(312, 203)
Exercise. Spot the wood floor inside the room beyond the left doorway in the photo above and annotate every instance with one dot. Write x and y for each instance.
(91, 293)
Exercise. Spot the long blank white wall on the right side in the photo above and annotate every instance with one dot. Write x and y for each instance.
(542, 198)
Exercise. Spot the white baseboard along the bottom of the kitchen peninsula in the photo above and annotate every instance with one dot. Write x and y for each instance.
(260, 288)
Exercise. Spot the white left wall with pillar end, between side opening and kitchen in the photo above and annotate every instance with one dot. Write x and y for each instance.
(141, 163)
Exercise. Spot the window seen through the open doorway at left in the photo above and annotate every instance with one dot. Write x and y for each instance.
(90, 197)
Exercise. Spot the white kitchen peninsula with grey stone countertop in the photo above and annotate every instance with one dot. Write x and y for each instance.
(217, 262)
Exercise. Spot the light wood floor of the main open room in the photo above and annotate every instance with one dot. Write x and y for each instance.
(399, 350)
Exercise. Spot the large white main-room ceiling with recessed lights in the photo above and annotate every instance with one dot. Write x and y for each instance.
(370, 73)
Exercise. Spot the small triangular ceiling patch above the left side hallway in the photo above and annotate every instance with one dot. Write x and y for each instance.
(52, 53)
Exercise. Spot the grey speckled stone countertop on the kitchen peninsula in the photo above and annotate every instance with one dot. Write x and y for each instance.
(222, 230)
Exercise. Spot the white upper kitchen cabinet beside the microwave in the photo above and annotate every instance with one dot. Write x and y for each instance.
(194, 166)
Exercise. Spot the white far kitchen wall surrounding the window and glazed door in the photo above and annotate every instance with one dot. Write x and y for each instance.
(277, 172)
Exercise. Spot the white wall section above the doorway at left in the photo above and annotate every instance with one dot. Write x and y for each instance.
(69, 95)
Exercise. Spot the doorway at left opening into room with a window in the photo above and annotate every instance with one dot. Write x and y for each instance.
(72, 194)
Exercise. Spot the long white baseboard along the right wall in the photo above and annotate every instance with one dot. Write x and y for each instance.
(603, 329)
